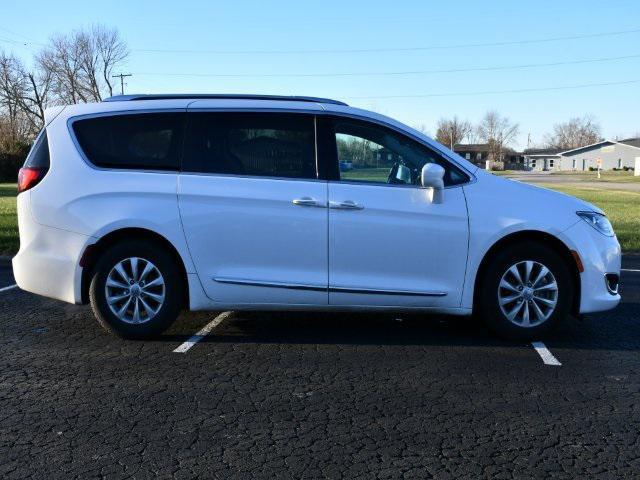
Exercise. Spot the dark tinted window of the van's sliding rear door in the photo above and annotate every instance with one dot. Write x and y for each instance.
(274, 145)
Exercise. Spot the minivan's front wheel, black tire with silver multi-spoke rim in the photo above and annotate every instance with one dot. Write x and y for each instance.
(531, 300)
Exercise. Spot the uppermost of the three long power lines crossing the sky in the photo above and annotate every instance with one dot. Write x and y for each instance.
(383, 50)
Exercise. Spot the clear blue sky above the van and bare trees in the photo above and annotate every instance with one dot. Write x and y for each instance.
(284, 37)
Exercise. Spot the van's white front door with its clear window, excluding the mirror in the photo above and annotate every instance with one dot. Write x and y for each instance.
(389, 245)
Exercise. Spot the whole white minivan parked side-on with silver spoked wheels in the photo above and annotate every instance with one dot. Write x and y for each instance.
(144, 205)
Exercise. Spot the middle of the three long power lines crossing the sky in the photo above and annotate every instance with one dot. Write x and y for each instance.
(396, 73)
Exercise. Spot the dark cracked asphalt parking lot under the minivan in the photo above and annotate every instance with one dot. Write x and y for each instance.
(283, 395)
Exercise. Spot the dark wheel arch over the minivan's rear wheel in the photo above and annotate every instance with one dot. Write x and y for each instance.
(93, 252)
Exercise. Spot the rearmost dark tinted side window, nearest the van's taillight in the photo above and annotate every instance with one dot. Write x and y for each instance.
(149, 141)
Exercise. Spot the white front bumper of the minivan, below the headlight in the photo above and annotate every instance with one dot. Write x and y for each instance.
(600, 256)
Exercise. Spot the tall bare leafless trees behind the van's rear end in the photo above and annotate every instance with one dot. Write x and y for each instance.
(71, 68)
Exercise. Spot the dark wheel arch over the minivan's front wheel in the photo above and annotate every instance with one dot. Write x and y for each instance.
(536, 236)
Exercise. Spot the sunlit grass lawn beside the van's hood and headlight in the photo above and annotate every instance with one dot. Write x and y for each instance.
(621, 206)
